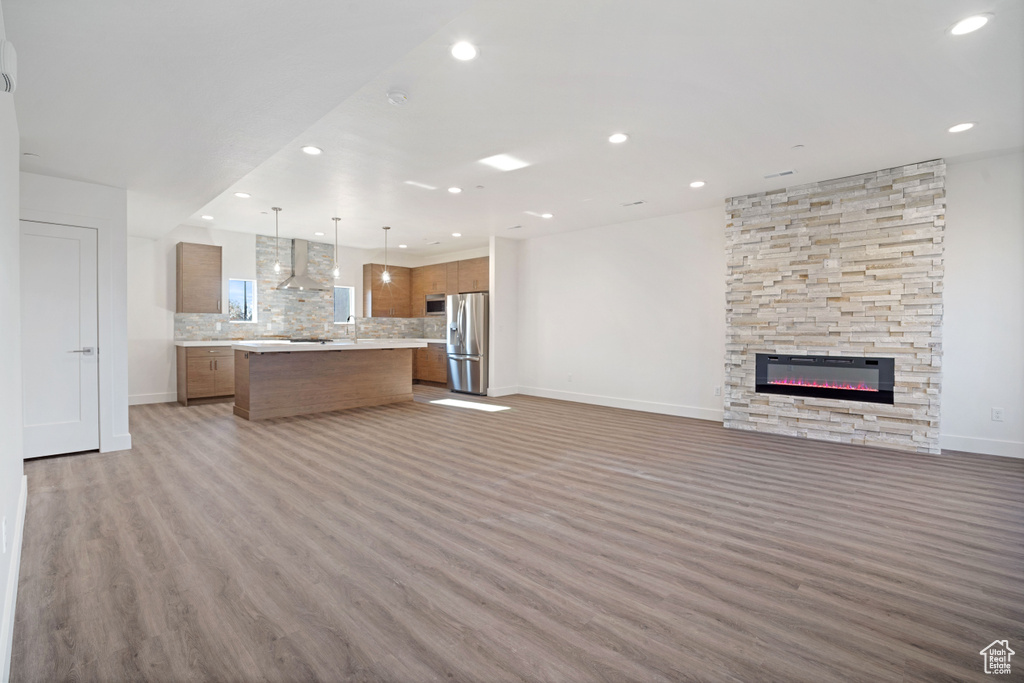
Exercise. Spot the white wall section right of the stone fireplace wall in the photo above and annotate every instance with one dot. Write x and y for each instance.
(984, 322)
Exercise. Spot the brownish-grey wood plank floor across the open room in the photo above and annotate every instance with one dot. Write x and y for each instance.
(552, 542)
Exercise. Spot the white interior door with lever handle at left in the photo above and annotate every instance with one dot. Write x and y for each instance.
(60, 365)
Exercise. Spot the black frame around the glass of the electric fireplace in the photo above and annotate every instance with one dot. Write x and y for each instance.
(886, 368)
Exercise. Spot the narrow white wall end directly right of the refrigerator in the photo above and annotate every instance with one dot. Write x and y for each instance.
(503, 366)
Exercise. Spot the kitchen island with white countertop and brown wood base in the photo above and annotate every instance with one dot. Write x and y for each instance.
(275, 379)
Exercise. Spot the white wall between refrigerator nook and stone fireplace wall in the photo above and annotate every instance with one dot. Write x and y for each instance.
(634, 313)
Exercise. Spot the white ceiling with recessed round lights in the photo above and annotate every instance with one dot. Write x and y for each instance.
(187, 103)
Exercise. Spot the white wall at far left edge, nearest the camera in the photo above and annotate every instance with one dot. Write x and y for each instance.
(12, 472)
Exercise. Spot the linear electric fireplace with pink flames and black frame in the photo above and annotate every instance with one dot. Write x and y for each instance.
(846, 378)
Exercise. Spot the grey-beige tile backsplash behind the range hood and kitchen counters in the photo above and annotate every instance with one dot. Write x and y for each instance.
(284, 315)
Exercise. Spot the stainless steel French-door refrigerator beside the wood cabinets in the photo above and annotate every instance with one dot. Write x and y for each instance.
(467, 343)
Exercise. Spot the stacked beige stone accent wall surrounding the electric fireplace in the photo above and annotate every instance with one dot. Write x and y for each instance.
(851, 267)
